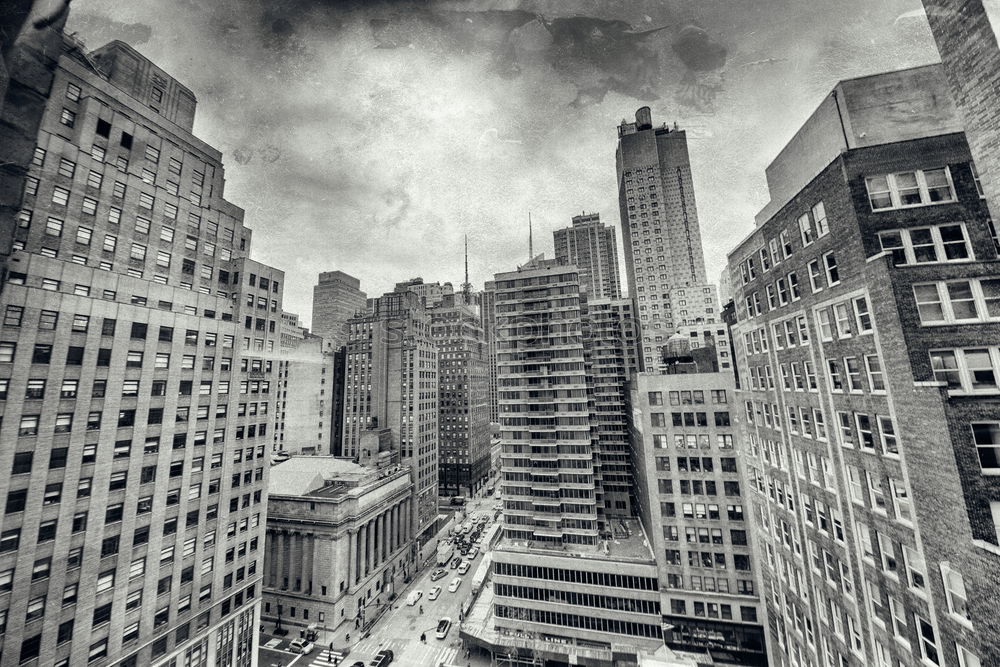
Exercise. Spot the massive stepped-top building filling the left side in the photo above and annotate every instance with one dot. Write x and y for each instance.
(136, 333)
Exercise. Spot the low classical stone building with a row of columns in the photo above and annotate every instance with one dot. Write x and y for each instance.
(339, 541)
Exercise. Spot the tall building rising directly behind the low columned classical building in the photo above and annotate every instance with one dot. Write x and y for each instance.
(391, 381)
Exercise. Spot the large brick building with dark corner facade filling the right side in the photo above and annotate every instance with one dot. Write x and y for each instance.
(866, 345)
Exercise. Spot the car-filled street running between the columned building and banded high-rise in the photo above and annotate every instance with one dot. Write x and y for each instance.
(400, 628)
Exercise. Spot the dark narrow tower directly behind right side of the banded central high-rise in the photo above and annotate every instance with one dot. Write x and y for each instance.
(612, 332)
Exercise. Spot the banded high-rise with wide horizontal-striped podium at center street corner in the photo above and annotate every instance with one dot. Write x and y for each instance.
(568, 584)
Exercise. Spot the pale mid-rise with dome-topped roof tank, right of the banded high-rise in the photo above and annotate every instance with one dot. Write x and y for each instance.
(690, 500)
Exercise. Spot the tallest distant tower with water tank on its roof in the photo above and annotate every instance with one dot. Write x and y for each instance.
(664, 262)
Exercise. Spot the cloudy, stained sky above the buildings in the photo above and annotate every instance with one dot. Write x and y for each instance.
(370, 137)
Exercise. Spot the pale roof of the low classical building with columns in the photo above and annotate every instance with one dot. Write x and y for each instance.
(323, 476)
